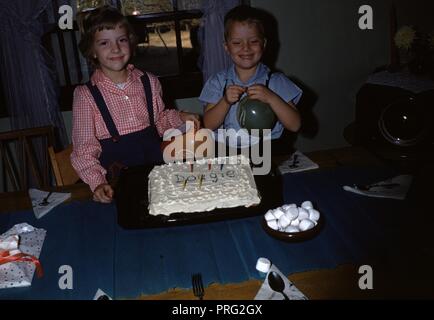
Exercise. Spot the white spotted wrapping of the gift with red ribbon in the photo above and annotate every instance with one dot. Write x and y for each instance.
(20, 273)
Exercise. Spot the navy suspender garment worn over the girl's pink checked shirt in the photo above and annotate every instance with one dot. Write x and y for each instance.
(136, 148)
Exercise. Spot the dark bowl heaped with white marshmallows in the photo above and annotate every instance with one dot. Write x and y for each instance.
(293, 223)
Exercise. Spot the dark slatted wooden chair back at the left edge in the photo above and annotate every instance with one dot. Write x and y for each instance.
(24, 158)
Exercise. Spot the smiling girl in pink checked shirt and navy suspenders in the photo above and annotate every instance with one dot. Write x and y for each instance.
(119, 115)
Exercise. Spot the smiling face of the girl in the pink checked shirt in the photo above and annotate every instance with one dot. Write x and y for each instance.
(112, 50)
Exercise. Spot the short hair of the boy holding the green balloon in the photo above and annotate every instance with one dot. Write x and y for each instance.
(244, 14)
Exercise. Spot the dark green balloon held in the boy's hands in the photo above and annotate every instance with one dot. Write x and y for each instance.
(255, 114)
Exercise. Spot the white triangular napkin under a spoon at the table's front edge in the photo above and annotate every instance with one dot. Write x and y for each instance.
(266, 293)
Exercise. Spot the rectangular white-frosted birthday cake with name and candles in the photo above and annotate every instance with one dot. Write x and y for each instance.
(202, 185)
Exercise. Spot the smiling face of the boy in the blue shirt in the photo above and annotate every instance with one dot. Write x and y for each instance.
(245, 46)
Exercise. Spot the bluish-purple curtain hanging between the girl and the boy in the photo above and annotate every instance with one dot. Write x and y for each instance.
(213, 56)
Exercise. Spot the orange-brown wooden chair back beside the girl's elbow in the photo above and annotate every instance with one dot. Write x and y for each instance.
(64, 173)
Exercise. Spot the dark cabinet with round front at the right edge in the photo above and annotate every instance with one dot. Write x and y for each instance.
(394, 122)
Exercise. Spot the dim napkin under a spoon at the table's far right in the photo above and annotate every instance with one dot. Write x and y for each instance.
(395, 188)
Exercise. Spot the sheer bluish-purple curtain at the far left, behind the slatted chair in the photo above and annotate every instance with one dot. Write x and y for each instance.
(27, 70)
